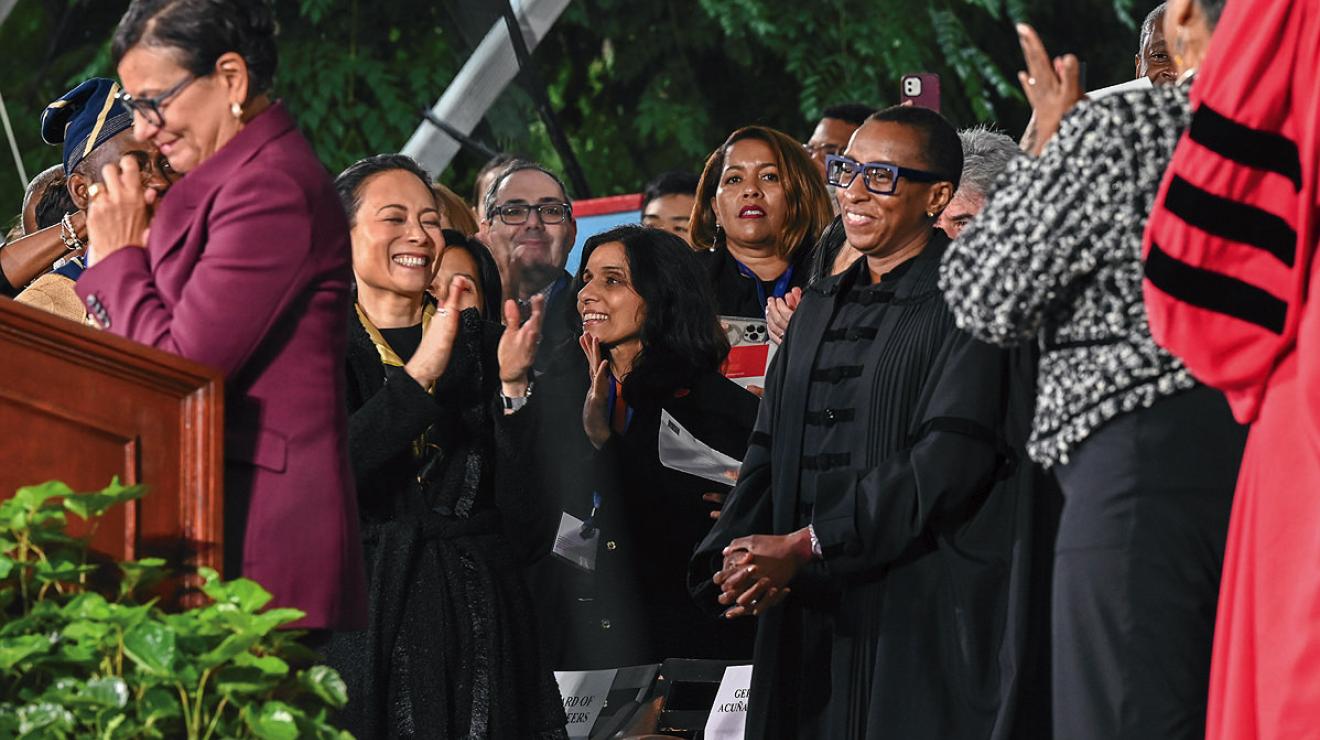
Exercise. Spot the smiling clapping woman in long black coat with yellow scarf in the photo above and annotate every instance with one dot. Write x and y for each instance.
(438, 435)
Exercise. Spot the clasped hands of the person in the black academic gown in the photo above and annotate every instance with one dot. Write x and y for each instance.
(758, 569)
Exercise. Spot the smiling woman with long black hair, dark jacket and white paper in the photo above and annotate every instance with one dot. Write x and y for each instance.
(654, 348)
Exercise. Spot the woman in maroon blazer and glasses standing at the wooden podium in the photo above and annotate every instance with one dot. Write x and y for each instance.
(246, 268)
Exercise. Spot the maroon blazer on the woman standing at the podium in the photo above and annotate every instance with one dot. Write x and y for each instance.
(247, 270)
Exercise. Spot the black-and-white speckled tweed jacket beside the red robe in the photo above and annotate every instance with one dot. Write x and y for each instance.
(1055, 257)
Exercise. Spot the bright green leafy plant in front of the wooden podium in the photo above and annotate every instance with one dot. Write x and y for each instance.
(82, 662)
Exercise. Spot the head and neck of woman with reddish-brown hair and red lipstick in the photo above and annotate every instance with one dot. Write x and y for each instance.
(761, 206)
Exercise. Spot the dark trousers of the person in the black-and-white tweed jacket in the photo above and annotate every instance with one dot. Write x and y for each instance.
(1137, 570)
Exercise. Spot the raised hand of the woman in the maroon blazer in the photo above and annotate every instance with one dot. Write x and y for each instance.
(118, 210)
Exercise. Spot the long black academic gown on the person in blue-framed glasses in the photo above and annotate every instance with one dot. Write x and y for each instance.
(892, 433)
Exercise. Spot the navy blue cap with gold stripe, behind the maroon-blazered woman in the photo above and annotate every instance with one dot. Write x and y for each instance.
(84, 119)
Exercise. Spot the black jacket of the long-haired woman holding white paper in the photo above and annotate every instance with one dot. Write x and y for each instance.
(636, 609)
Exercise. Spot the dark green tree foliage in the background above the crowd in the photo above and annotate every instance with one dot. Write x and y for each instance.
(641, 86)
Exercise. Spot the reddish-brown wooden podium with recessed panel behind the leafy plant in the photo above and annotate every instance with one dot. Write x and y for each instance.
(81, 406)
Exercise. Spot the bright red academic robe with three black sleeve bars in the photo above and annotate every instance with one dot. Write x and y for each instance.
(1234, 292)
